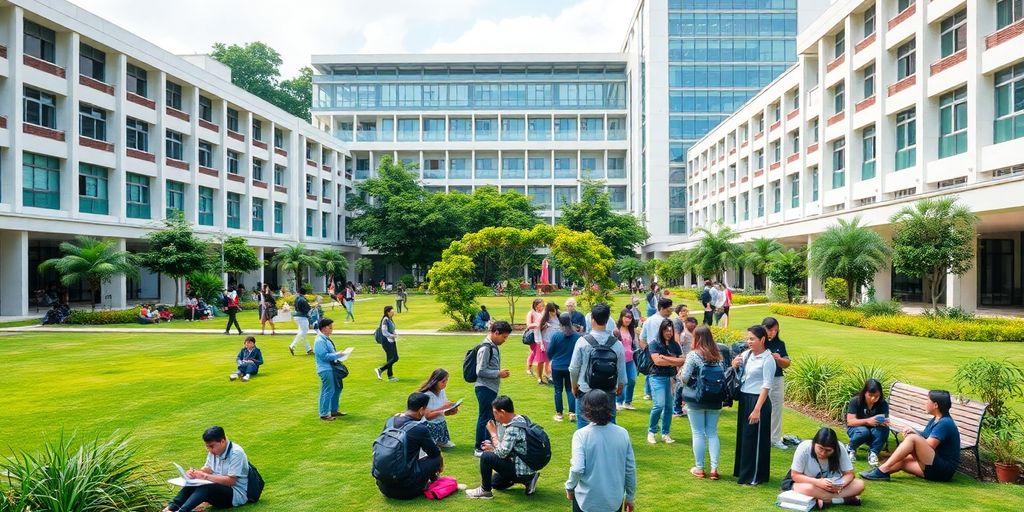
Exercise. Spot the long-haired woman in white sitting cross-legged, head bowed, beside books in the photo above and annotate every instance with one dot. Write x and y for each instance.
(822, 470)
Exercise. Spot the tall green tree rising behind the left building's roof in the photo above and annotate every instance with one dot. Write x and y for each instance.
(257, 68)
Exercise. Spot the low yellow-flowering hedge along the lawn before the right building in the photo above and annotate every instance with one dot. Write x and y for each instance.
(943, 329)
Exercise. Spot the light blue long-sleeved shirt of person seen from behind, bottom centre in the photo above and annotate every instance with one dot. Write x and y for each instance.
(603, 468)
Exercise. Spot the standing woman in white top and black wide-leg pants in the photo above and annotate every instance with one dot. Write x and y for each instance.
(754, 436)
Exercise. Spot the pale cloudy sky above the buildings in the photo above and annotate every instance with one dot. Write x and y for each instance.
(302, 28)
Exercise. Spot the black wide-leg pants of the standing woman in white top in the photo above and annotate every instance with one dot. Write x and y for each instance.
(753, 442)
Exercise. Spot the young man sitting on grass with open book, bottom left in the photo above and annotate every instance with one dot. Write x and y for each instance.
(227, 467)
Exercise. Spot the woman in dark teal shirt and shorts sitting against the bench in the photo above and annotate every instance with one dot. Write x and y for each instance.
(933, 454)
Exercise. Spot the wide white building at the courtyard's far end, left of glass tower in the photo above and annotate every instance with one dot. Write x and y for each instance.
(535, 124)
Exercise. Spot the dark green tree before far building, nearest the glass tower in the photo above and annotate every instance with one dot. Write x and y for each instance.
(620, 232)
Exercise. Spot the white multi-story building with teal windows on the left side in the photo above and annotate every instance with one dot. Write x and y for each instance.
(105, 135)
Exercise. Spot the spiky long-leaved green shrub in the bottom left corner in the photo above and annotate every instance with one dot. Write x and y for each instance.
(92, 477)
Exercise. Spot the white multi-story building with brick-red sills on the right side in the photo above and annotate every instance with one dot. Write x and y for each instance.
(890, 103)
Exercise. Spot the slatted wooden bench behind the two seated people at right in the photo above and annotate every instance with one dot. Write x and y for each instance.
(908, 410)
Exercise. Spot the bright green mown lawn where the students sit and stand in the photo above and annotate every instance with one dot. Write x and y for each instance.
(166, 389)
